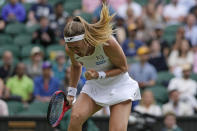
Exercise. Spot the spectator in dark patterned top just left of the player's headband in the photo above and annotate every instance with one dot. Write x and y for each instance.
(58, 19)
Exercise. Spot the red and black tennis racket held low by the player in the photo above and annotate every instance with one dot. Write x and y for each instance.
(58, 105)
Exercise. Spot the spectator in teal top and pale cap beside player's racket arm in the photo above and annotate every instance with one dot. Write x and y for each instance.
(59, 68)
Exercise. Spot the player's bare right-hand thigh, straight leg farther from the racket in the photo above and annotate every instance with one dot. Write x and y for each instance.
(119, 115)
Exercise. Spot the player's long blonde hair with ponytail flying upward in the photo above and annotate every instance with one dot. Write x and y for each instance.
(95, 34)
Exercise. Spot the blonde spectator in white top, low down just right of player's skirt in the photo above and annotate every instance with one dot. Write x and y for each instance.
(147, 105)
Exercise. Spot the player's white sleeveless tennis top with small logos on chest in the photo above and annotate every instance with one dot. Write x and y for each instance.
(97, 61)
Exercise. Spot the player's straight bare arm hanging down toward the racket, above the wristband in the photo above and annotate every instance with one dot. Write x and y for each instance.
(75, 69)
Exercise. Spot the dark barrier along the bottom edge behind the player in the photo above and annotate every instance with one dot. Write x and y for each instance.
(34, 123)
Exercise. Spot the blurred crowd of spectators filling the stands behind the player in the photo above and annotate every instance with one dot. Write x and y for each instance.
(145, 31)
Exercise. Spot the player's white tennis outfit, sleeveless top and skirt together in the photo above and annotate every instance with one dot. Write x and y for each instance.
(111, 90)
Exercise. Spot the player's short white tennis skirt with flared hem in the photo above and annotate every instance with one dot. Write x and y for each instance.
(112, 90)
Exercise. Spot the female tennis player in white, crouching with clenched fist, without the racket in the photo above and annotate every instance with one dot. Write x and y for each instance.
(108, 83)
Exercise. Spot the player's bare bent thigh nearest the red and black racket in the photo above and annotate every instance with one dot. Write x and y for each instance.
(84, 107)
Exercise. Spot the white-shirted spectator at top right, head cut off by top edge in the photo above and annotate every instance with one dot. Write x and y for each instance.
(174, 13)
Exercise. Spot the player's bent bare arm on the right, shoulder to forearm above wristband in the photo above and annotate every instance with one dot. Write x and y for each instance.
(116, 55)
